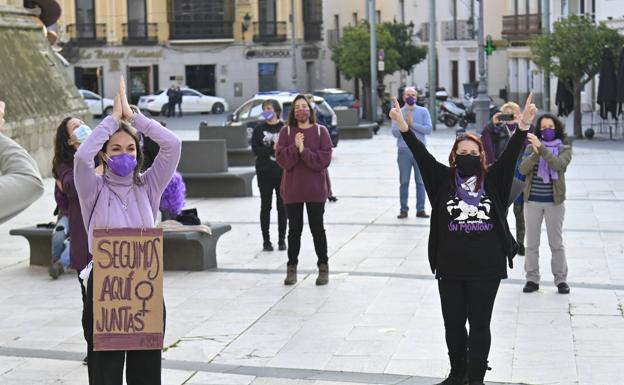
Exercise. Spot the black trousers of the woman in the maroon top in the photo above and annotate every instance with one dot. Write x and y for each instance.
(295, 227)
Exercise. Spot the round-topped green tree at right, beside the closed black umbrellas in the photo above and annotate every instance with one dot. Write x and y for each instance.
(573, 53)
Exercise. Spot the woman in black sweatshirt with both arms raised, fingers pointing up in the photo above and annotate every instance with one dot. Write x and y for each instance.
(469, 238)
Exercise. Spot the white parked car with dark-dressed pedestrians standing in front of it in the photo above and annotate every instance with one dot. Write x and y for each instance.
(192, 101)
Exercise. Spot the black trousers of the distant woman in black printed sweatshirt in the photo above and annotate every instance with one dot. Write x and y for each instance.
(267, 183)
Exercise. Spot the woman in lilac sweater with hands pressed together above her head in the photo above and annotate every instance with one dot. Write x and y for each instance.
(122, 197)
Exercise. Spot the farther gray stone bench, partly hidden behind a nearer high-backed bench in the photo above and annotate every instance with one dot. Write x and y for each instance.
(236, 138)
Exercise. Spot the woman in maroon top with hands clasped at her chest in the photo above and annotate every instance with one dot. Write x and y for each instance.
(304, 152)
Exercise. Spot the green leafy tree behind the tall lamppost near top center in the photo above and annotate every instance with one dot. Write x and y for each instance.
(352, 53)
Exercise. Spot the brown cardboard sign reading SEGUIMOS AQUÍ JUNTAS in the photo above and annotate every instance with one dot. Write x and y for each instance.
(127, 289)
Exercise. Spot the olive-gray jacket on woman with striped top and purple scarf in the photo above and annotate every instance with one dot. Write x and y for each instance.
(558, 163)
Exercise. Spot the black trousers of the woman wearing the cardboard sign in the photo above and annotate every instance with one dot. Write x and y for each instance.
(143, 367)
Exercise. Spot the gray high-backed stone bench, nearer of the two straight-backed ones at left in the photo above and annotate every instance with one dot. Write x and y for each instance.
(204, 168)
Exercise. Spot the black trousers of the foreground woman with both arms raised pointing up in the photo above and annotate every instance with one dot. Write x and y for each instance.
(472, 301)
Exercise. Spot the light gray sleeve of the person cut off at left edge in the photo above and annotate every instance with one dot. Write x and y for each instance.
(20, 182)
